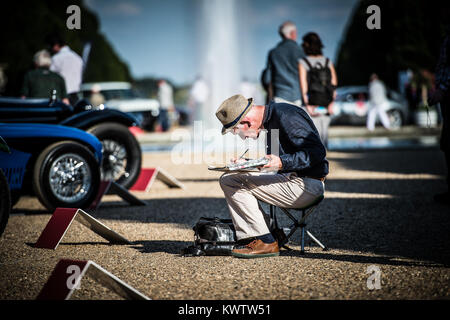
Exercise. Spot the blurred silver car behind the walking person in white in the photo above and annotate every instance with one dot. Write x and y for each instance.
(352, 105)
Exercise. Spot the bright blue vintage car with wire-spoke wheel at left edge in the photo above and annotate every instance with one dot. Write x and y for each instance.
(58, 164)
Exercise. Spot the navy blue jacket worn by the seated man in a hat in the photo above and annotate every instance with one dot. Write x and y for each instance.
(300, 148)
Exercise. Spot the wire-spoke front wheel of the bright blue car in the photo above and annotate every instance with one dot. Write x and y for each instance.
(66, 174)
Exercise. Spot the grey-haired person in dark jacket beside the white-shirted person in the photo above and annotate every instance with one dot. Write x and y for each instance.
(40, 82)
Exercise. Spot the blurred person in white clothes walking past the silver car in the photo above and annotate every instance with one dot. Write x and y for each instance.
(377, 103)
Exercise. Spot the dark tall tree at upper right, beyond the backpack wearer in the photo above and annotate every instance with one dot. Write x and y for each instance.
(410, 36)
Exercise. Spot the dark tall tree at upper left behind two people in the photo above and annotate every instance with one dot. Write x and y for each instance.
(24, 26)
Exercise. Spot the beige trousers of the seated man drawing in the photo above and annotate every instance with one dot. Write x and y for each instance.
(243, 190)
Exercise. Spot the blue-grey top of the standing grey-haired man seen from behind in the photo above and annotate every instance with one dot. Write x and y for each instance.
(282, 70)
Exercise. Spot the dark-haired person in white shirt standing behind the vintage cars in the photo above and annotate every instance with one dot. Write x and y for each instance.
(68, 65)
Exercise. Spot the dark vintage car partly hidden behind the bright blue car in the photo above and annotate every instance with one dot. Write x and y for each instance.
(121, 151)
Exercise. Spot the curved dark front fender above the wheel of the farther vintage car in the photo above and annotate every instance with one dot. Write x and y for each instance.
(89, 118)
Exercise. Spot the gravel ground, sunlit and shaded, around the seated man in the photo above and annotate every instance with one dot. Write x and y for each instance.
(378, 210)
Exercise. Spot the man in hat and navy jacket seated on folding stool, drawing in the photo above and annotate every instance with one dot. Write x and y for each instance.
(298, 159)
